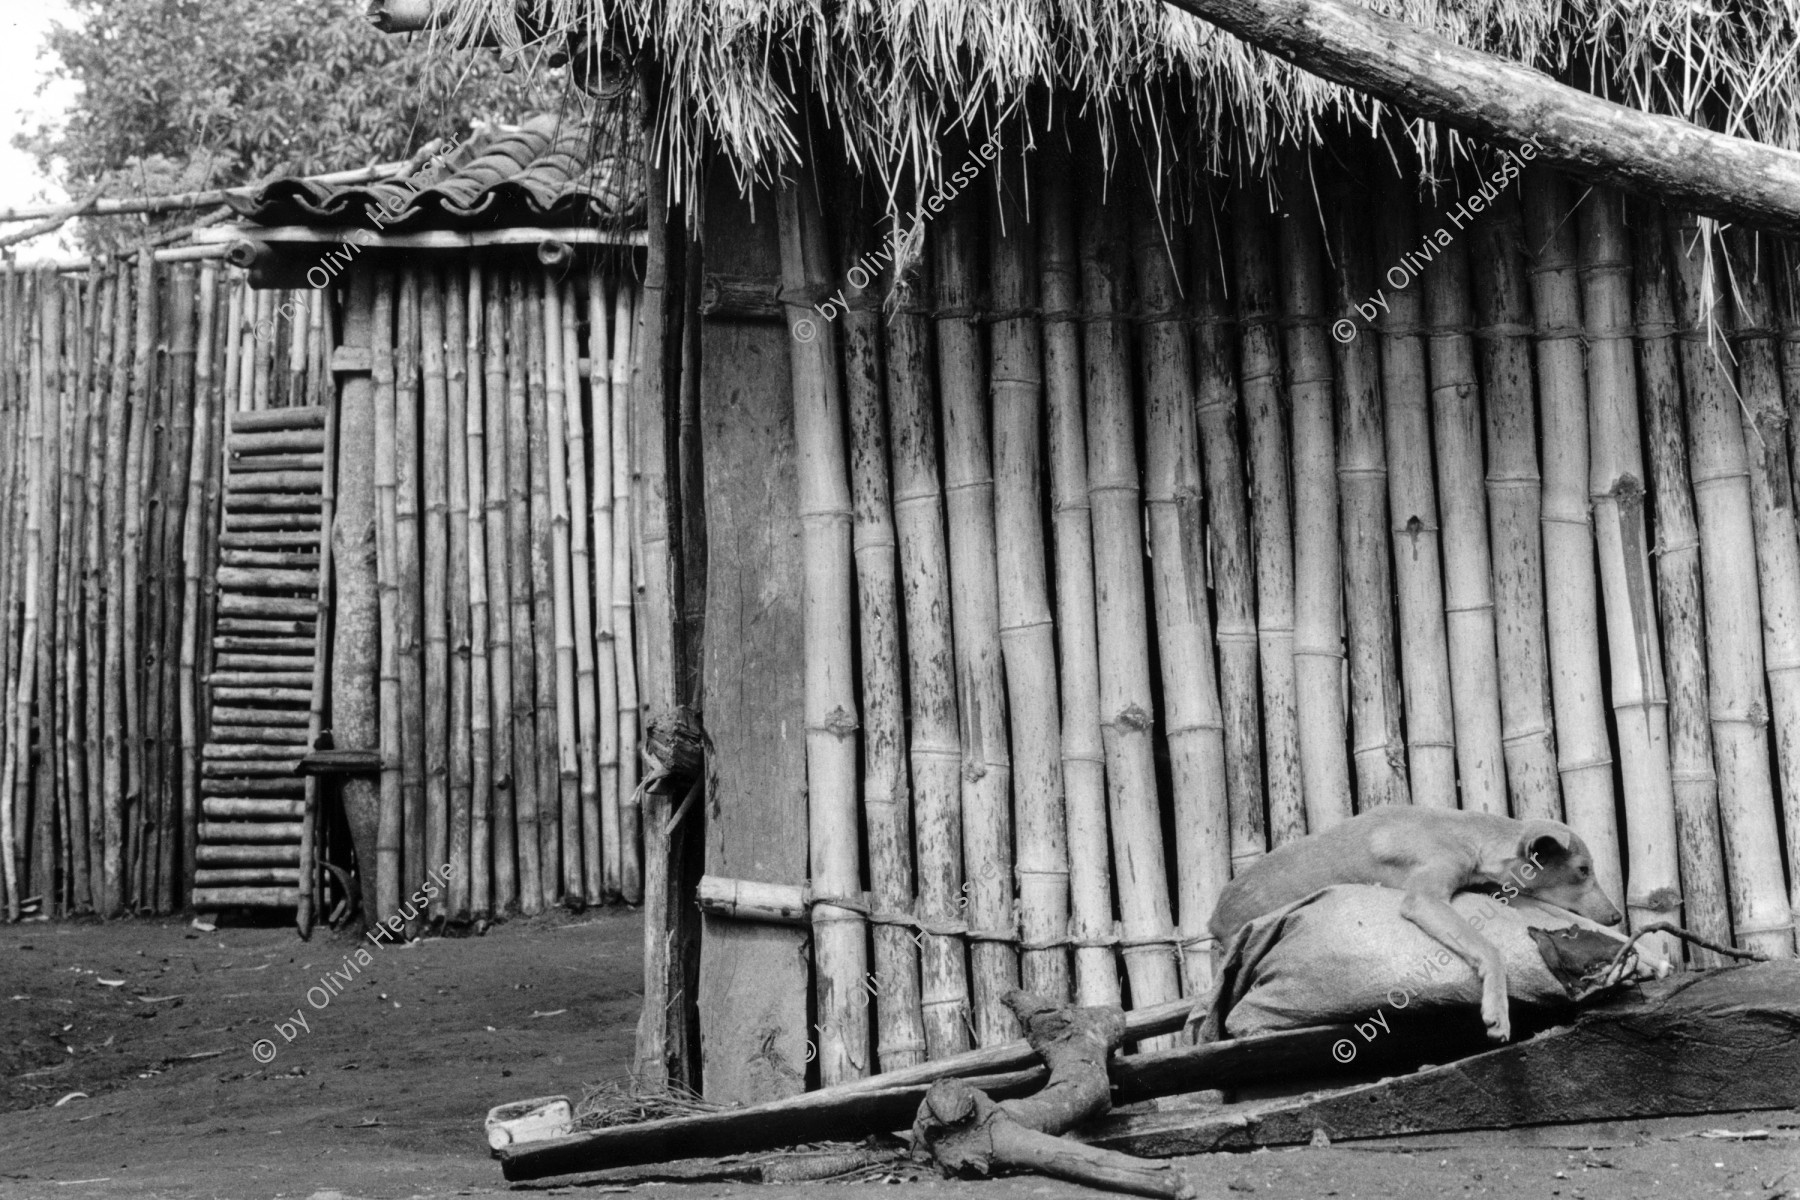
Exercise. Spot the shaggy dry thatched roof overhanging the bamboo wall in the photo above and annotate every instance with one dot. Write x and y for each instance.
(894, 76)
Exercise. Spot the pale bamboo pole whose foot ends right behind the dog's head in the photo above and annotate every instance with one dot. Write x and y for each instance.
(1585, 749)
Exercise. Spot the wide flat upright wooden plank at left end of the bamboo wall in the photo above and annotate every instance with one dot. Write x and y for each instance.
(753, 978)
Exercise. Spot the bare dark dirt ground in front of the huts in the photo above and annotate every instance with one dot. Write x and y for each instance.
(384, 1089)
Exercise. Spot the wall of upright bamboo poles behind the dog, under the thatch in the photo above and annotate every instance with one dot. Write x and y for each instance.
(1135, 541)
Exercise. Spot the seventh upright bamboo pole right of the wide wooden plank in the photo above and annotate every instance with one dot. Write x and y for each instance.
(1126, 706)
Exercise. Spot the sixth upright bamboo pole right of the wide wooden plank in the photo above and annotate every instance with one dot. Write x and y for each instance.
(1084, 785)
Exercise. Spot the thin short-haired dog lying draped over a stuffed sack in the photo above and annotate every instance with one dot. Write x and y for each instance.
(1430, 854)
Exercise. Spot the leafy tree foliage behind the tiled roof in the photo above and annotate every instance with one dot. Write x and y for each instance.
(186, 94)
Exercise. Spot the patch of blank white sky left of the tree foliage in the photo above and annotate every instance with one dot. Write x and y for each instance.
(22, 30)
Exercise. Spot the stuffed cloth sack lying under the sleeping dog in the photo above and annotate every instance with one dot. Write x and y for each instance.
(1347, 953)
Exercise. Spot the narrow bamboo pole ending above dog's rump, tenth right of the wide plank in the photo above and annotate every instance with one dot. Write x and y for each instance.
(1272, 510)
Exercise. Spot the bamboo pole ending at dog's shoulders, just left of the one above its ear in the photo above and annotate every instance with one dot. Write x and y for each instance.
(1462, 508)
